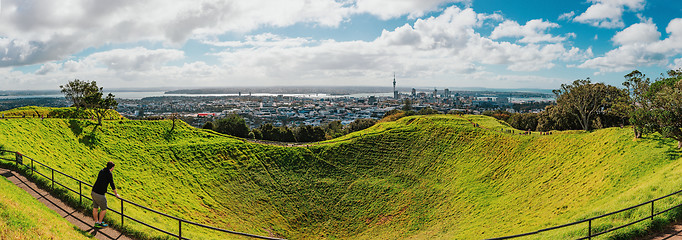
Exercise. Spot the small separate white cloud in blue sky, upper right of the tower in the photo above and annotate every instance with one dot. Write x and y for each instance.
(533, 31)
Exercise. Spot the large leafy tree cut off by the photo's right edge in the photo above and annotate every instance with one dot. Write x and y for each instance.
(661, 107)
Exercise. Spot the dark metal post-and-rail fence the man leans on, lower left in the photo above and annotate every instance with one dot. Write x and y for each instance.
(181, 223)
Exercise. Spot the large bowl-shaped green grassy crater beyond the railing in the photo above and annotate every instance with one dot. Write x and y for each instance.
(420, 177)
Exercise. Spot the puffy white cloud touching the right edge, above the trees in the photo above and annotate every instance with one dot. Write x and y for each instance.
(640, 50)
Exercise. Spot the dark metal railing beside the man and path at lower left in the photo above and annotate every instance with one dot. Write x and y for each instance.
(19, 162)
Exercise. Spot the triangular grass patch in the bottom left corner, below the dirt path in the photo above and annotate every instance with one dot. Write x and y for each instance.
(23, 217)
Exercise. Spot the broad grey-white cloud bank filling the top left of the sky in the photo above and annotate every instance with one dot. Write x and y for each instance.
(45, 30)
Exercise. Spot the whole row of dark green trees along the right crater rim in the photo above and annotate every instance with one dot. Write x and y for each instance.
(649, 106)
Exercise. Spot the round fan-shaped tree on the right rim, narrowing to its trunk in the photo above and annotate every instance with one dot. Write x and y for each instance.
(586, 100)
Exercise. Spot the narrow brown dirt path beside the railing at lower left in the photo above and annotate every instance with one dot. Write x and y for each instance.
(75, 217)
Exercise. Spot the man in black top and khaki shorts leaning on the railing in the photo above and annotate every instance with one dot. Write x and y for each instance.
(99, 191)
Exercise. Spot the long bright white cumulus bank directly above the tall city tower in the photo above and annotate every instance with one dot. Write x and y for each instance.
(435, 46)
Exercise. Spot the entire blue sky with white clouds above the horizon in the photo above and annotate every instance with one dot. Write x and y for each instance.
(427, 43)
